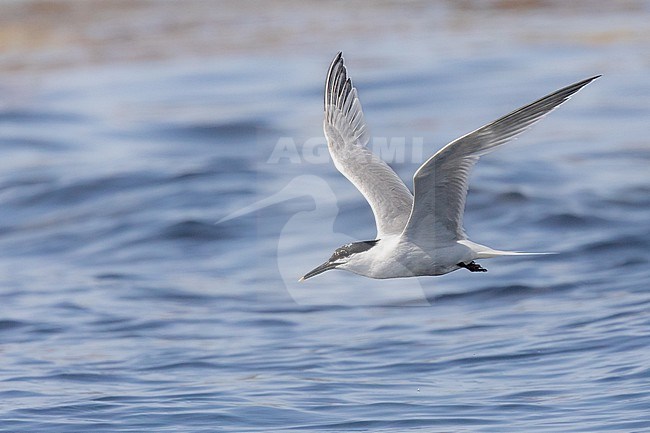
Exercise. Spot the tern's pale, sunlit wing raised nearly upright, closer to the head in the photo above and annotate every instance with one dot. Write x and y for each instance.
(347, 136)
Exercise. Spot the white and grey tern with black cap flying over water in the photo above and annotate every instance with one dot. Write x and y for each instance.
(420, 233)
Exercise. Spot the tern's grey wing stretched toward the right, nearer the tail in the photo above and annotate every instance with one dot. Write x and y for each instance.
(440, 184)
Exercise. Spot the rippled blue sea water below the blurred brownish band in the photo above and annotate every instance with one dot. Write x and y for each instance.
(155, 217)
